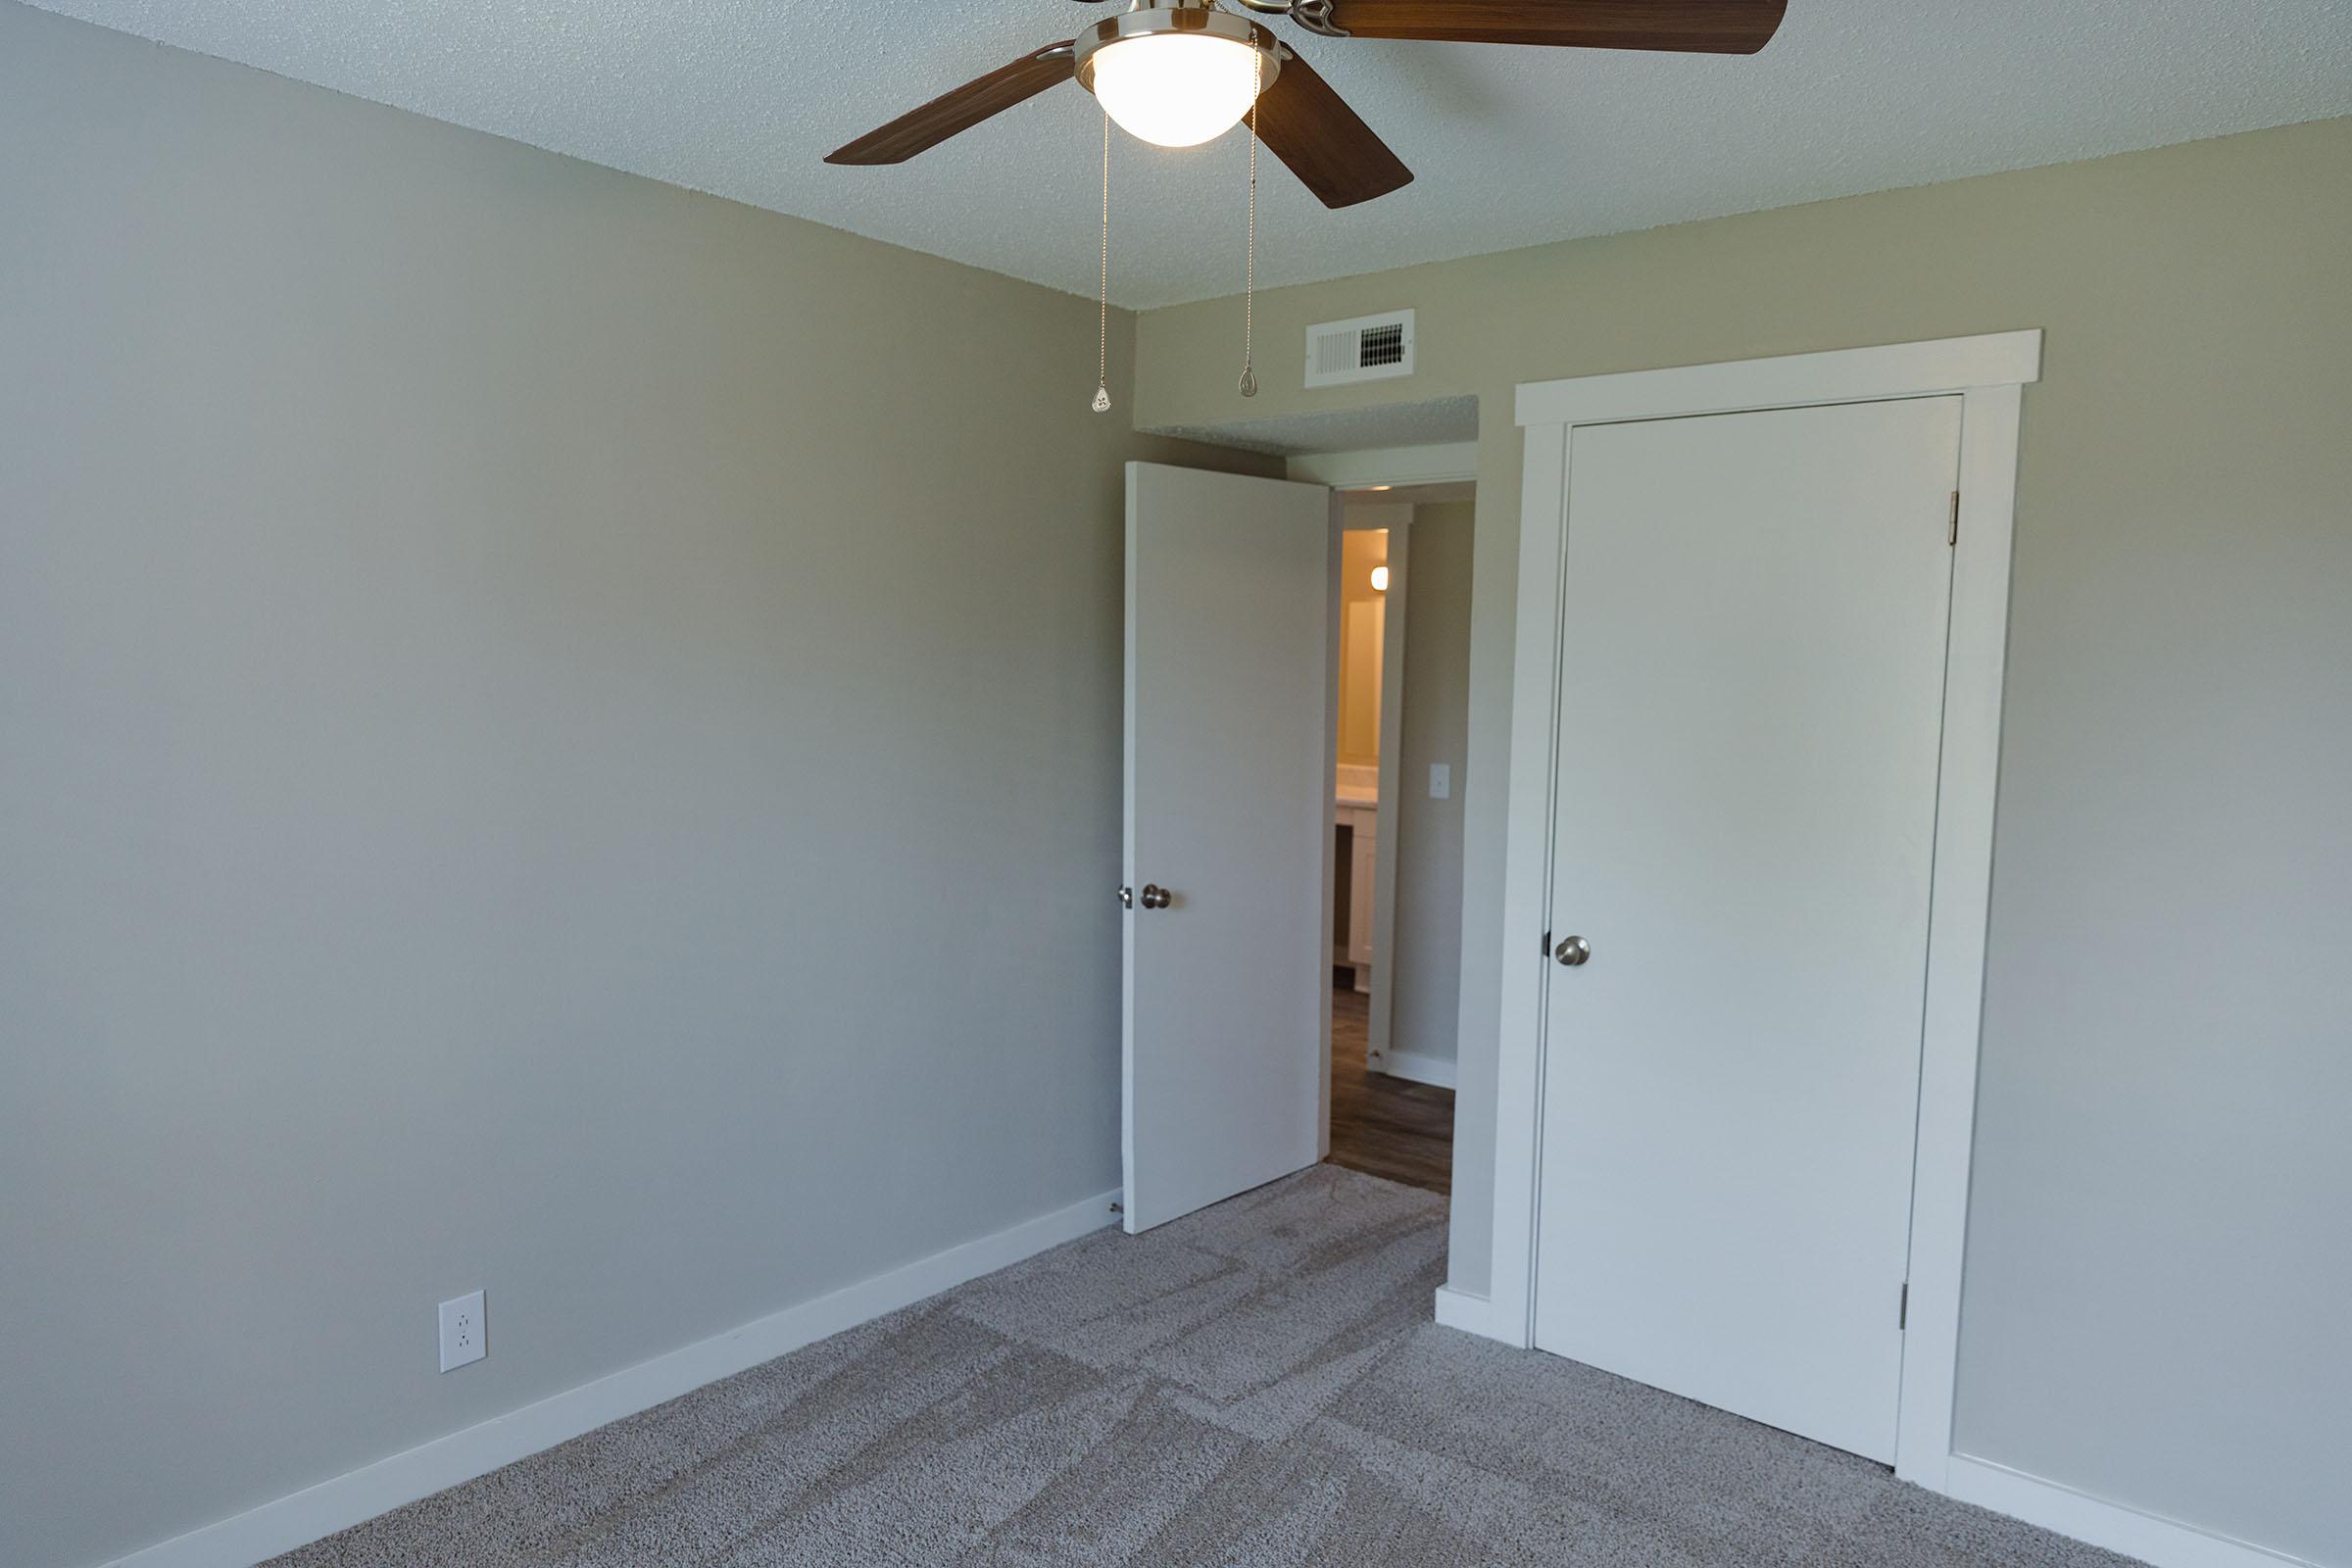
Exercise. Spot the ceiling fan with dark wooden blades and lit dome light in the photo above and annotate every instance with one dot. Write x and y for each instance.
(1182, 72)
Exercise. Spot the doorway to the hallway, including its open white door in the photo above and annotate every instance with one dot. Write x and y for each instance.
(1248, 1047)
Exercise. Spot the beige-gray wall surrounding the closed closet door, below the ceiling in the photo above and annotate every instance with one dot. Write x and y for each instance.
(2158, 1238)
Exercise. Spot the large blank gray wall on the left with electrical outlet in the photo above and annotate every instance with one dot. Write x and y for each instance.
(556, 735)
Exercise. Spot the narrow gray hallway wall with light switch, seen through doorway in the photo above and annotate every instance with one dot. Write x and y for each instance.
(1429, 838)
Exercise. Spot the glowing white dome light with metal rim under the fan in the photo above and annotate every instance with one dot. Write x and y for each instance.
(1177, 74)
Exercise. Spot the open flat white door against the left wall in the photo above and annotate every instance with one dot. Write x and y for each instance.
(1227, 993)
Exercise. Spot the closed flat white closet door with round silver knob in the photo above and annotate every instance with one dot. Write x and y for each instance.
(1751, 711)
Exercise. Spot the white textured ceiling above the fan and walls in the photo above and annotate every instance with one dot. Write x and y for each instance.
(1514, 147)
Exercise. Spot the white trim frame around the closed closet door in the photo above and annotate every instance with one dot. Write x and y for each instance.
(1986, 373)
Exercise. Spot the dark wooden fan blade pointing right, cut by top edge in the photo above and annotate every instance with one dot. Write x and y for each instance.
(1685, 27)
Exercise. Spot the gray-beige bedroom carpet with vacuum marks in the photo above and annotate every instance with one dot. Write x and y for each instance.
(1250, 1388)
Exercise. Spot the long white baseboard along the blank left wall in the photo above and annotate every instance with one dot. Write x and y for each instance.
(502, 1440)
